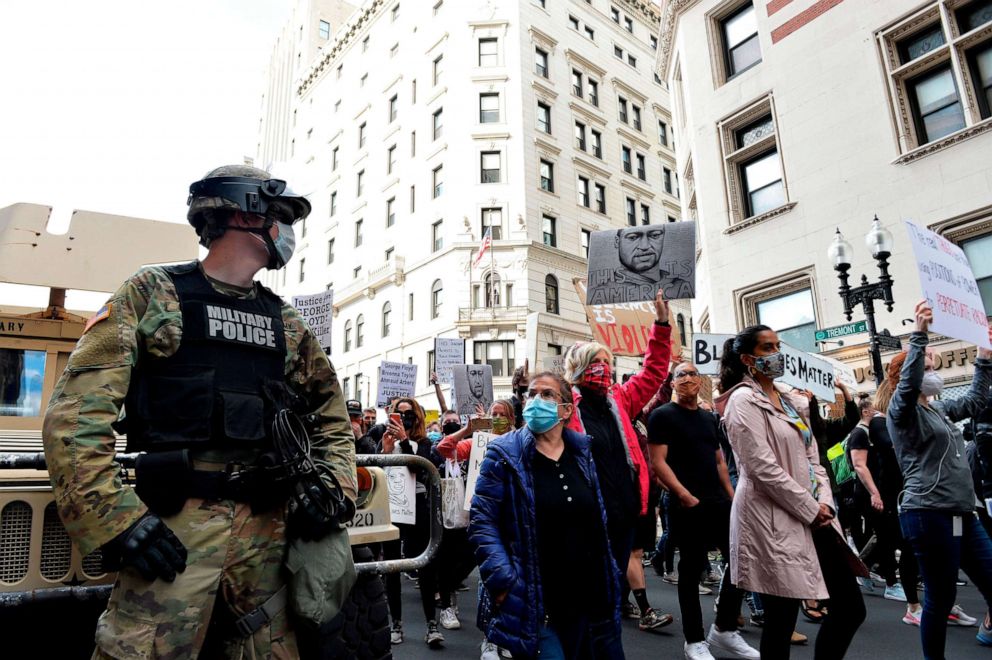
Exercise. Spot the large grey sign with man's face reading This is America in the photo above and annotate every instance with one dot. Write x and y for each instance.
(633, 263)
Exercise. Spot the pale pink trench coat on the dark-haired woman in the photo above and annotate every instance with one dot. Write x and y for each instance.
(771, 542)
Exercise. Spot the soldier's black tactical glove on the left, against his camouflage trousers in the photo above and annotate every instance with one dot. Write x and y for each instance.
(150, 547)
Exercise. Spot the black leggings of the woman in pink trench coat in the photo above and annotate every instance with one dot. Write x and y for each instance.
(846, 608)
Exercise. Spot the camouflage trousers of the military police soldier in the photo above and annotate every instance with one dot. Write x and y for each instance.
(235, 563)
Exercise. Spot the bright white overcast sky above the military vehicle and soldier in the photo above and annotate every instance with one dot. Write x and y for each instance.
(116, 106)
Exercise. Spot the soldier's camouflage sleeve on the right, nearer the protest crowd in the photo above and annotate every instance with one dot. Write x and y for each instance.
(312, 376)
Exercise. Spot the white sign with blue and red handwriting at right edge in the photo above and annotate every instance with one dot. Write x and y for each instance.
(949, 287)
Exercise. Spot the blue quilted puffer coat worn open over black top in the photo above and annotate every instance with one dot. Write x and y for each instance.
(503, 530)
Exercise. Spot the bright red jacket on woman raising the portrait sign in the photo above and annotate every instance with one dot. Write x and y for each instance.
(630, 398)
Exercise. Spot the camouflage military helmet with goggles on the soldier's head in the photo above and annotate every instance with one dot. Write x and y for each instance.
(242, 188)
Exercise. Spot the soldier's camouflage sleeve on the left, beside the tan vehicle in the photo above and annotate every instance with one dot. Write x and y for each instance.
(92, 501)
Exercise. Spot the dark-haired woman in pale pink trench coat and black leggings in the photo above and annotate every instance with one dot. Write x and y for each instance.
(785, 542)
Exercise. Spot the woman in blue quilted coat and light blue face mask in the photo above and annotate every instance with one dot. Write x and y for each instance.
(551, 586)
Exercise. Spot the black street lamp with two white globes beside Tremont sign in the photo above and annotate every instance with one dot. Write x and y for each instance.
(879, 241)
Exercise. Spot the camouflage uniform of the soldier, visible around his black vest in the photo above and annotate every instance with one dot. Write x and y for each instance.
(232, 553)
